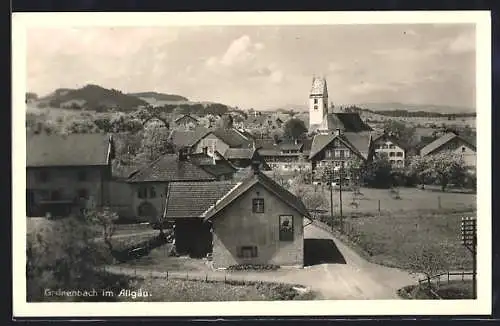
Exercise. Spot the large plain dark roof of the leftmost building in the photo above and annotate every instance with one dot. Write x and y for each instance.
(67, 150)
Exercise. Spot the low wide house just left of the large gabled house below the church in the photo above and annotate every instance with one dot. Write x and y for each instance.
(286, 156)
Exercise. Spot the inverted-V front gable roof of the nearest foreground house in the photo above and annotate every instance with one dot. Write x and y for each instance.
(245, 185)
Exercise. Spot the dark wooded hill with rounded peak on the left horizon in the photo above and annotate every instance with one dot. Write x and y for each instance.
(92, 97)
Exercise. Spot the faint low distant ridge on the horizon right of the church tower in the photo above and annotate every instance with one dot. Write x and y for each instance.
(432, 108)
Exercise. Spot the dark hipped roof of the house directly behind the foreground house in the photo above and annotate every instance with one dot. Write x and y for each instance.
(168, 168)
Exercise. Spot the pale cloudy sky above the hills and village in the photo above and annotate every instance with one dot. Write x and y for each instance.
(262, 67)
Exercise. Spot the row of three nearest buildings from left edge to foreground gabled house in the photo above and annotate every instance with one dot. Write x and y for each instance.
(247, 219)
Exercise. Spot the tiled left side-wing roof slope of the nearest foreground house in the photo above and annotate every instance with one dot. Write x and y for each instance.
(191, 199)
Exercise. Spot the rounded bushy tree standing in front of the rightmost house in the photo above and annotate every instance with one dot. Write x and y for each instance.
(446, 168)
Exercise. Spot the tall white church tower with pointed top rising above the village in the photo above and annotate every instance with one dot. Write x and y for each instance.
(318, 103)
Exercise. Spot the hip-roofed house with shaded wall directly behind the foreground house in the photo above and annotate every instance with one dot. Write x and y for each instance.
(149, 183)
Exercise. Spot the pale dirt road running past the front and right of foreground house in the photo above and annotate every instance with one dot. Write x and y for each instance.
(337, 272)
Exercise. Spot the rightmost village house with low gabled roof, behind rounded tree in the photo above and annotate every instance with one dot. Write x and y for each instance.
(453, 143)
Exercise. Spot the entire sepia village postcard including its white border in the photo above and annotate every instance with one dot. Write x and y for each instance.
(295, 161)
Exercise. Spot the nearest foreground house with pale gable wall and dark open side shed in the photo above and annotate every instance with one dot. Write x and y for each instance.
(254, 221)
